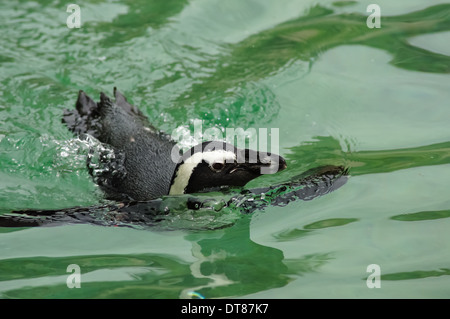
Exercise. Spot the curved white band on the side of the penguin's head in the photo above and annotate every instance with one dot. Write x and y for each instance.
(185, 170)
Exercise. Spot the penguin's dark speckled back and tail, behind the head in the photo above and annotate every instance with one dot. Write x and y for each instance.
(137, 157)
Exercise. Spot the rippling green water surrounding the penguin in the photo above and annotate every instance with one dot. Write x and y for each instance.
(376, 100)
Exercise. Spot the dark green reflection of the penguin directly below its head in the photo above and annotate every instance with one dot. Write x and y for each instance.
(235, 265)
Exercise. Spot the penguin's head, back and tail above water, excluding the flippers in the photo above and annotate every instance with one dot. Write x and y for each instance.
(141, 166)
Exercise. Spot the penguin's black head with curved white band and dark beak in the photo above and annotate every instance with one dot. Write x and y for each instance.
(211, 165)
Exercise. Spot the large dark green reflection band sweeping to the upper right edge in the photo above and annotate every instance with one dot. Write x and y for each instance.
(308, 36)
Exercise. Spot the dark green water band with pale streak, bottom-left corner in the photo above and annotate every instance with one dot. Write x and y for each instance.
(102, 276)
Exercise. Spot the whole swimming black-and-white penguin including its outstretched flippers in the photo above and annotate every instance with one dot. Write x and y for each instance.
(135, 167)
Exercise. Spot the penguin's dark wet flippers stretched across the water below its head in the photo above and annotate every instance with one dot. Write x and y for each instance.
(315, 182)
